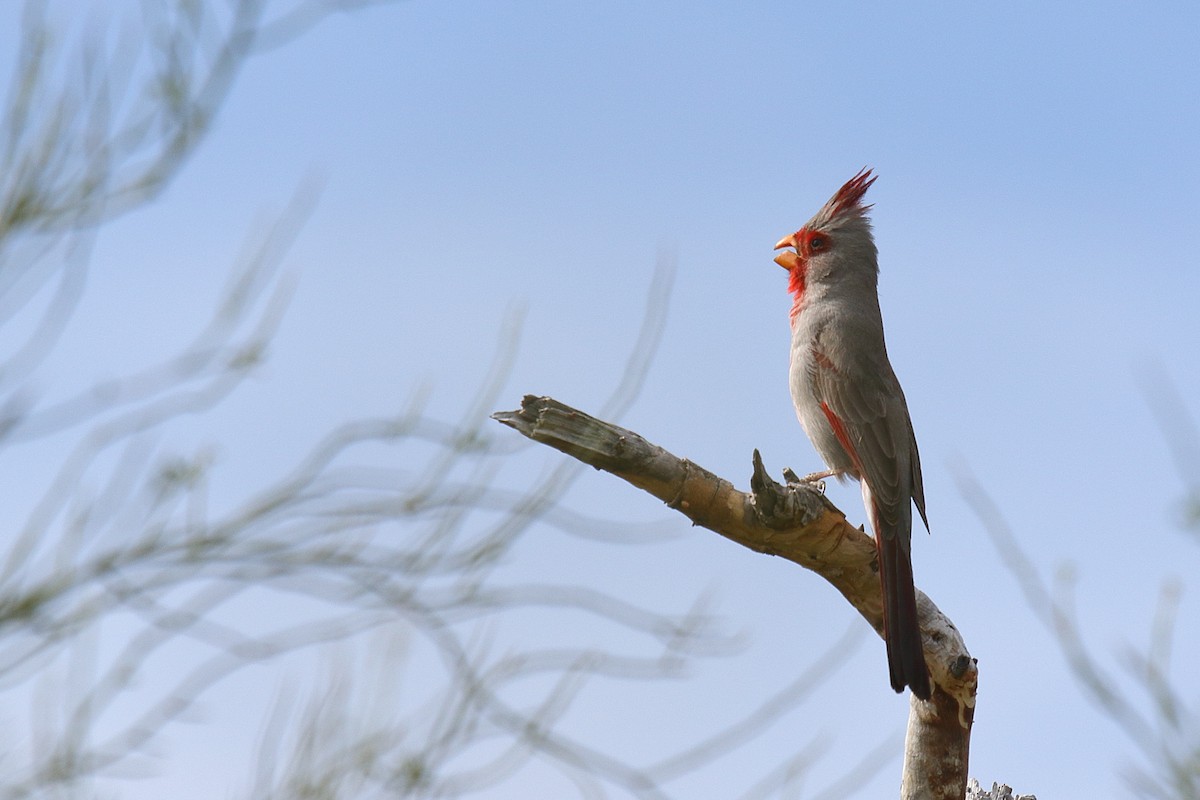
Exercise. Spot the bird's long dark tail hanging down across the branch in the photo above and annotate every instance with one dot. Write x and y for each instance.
(907, 657)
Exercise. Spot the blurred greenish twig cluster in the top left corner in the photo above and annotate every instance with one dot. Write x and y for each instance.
(81, 153)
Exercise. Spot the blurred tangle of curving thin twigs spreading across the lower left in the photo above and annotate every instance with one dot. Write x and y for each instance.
(375, 545)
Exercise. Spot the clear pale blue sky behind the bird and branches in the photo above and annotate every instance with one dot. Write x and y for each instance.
(1036, 218)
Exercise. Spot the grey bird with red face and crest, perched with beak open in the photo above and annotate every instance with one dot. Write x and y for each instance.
(850, 402)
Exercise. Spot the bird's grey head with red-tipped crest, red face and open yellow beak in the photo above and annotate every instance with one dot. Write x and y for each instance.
(836, 244)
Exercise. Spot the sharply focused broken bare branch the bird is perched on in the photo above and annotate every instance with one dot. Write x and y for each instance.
(795, 522)
